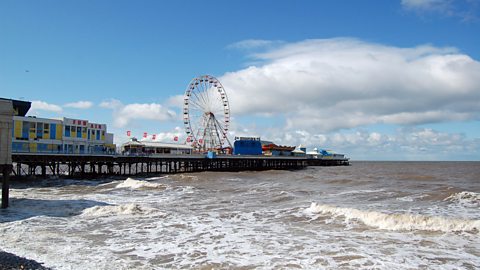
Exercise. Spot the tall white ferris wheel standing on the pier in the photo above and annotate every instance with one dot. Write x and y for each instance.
(206, 114)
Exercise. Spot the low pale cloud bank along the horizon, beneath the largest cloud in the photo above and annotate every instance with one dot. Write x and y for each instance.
(401, 144)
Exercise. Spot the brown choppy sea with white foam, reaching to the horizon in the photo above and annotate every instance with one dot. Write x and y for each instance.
(370, 215)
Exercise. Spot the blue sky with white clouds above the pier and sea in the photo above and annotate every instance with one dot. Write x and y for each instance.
(375, 79)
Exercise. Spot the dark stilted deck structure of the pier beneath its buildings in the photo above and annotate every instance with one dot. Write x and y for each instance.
(93, 166)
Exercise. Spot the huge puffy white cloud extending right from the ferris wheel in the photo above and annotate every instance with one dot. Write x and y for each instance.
(332, 84)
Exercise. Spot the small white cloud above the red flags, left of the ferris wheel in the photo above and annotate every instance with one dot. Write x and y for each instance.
(125, 114)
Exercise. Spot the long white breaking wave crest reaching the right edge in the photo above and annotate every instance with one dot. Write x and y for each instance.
(398, 222)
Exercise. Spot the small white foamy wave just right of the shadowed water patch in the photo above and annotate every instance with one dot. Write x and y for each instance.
(115, 210)
